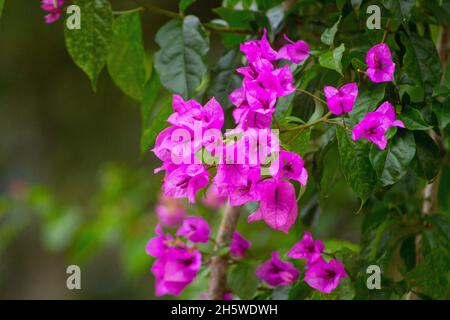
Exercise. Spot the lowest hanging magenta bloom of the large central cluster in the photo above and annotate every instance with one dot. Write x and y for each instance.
(278, 205)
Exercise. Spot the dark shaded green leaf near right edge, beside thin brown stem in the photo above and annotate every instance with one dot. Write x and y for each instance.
(427, 156)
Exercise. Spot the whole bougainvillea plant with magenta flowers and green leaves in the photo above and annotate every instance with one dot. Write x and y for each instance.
(322, 95)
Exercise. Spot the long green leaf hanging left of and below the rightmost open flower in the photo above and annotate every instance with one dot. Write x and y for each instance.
(355, 164)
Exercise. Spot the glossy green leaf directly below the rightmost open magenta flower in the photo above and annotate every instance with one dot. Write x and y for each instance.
(392, 163)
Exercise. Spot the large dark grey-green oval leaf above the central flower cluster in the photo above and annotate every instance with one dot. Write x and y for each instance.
(181, 61)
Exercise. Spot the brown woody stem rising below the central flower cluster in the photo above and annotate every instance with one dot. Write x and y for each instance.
(219, 264)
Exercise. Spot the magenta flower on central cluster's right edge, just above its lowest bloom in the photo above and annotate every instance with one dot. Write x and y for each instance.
(289, 165)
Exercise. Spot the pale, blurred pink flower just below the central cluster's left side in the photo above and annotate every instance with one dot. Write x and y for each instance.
(171, 212)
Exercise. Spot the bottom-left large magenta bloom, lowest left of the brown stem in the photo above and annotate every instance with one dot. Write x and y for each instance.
(176, 269)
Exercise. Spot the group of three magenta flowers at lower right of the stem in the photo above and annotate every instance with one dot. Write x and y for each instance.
(320, 274)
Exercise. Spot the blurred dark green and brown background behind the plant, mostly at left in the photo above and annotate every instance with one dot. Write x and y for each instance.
(74, 187)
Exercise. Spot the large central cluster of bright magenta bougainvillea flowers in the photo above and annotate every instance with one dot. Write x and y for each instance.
(240, 182)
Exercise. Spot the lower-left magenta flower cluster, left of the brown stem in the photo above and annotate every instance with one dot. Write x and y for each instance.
(177, 262)
